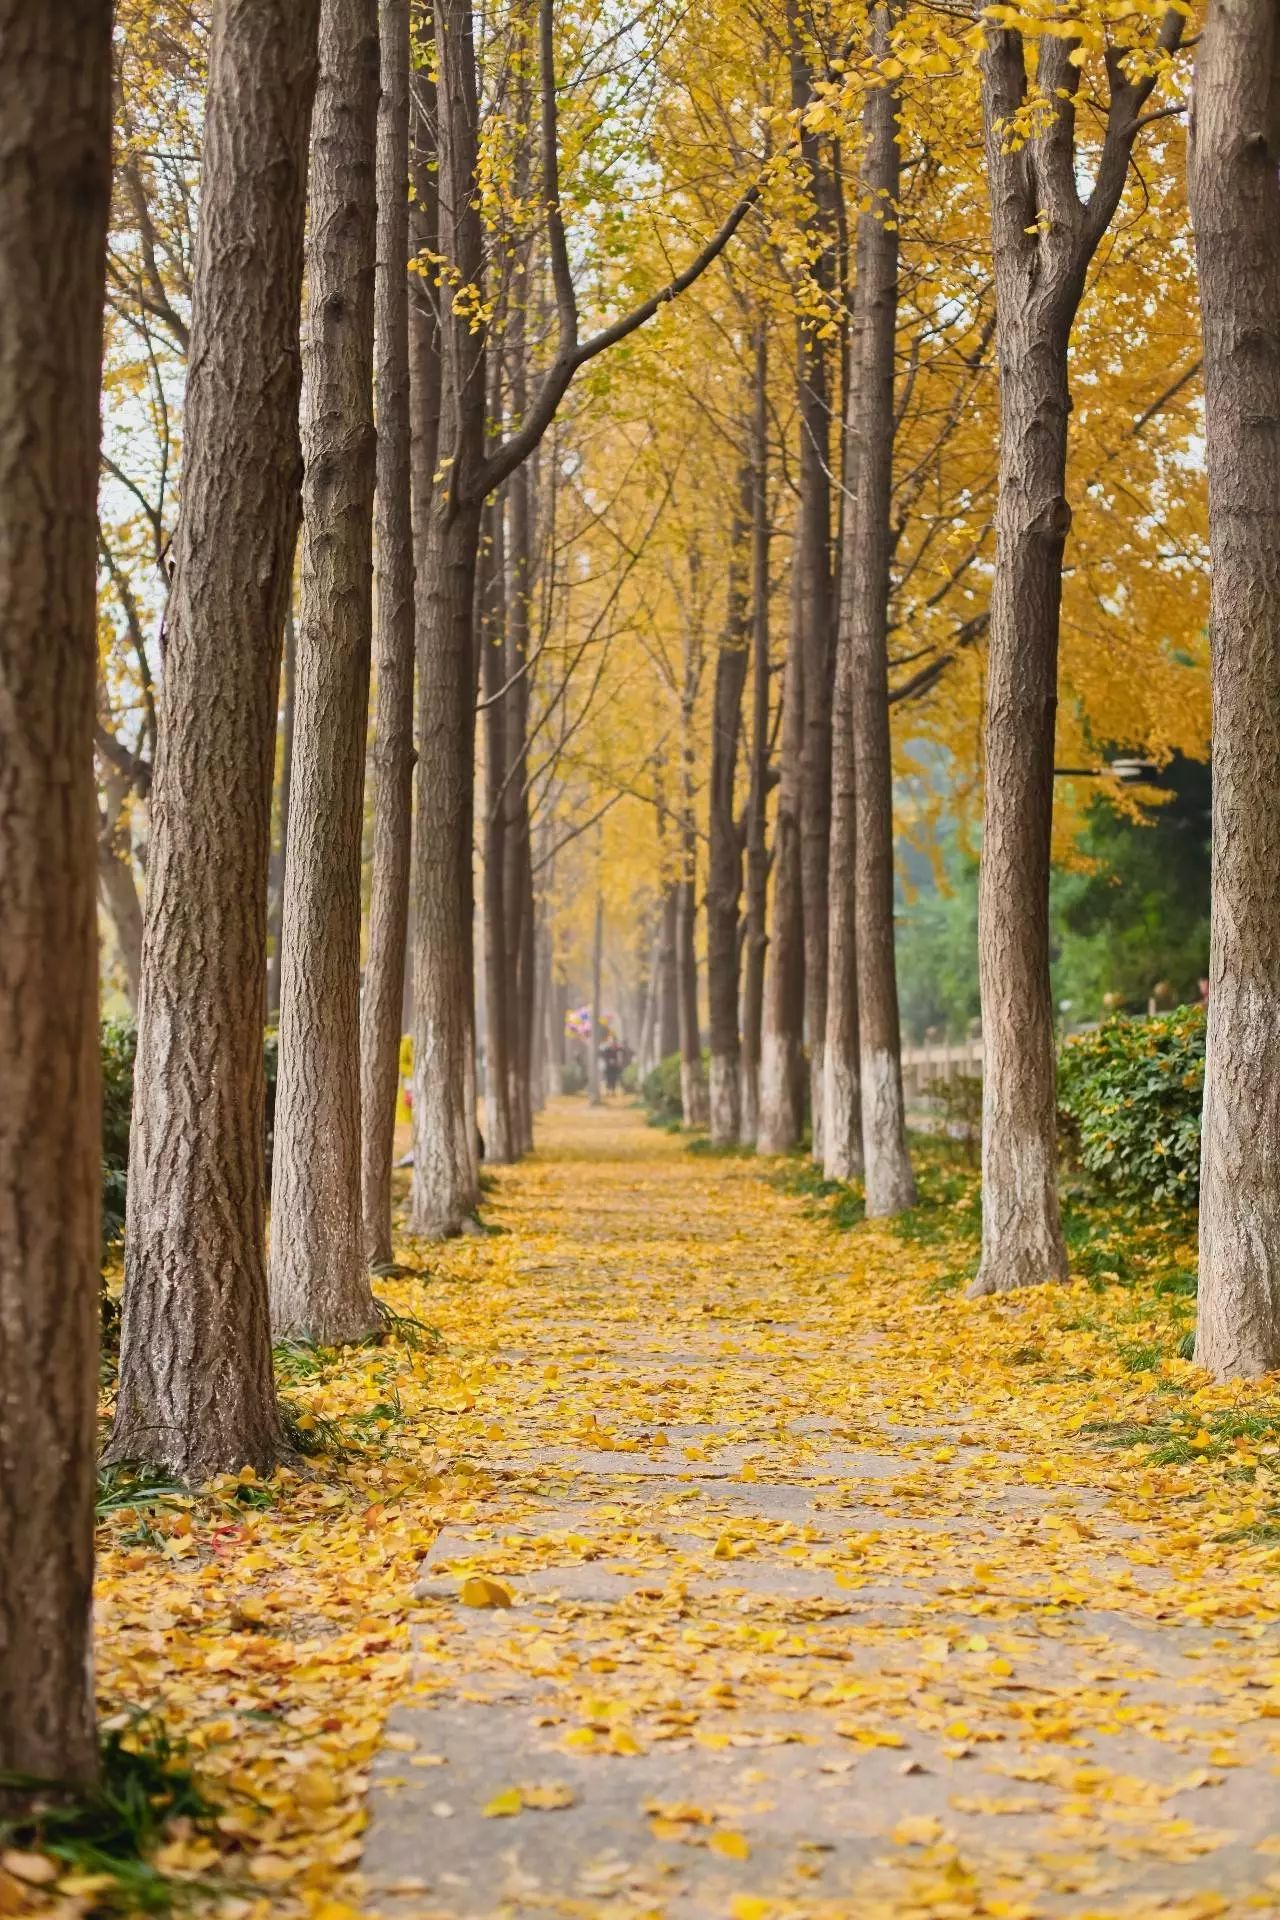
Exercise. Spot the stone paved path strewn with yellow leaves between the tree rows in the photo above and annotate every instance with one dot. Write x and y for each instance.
(817, 1610)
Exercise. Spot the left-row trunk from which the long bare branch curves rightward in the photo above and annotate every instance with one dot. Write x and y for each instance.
(446, 1172)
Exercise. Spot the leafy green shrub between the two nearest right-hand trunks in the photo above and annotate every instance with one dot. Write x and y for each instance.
(1129, 1099)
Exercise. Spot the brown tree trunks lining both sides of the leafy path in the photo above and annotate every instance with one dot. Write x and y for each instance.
(394, 427)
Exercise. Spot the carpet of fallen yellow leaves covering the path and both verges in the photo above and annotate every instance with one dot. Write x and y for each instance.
(794, 1585)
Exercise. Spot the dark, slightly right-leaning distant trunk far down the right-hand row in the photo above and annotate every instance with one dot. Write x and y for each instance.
(724, 880)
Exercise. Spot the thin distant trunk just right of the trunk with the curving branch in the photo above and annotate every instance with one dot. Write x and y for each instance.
(500, 1136)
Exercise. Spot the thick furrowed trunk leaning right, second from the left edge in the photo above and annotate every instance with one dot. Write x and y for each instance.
(195, 1389)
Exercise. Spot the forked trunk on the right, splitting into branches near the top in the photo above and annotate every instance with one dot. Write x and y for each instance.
(1045, 239)
